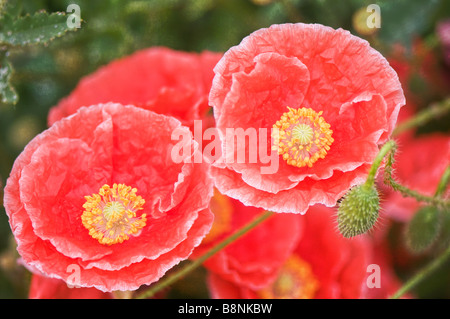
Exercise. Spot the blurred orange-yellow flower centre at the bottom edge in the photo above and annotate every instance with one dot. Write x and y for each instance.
(295, 281)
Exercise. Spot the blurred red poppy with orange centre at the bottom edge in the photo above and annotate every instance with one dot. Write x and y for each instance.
(323, 265)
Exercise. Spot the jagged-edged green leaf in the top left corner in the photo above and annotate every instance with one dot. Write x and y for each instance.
(39, 28)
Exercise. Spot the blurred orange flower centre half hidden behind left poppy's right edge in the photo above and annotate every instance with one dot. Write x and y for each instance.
(222, 209)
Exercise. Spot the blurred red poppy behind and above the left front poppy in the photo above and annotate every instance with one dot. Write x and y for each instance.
(159, 79)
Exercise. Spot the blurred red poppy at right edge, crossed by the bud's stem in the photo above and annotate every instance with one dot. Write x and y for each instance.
(419, 165)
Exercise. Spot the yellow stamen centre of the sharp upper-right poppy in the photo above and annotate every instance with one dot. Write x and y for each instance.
(302, 137)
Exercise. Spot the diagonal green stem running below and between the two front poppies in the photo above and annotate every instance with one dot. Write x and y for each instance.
(163, 283)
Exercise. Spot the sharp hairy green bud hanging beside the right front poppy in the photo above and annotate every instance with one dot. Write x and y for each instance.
(358, 211)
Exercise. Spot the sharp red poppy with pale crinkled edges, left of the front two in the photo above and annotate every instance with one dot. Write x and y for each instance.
(96, 199)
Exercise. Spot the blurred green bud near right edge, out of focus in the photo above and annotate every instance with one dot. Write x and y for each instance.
(423, 229)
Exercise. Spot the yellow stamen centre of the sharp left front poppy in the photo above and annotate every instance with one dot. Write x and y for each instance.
(110, 216)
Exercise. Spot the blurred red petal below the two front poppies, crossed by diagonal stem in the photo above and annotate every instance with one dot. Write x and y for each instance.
(254, 259)
